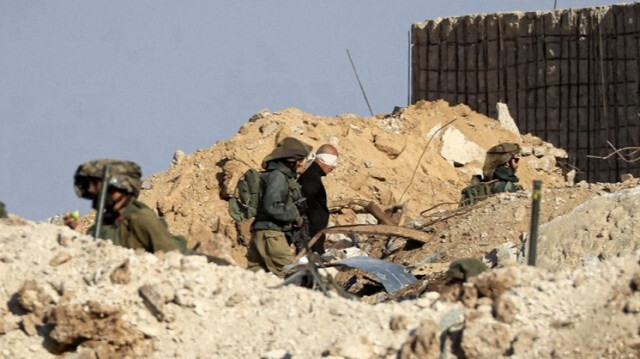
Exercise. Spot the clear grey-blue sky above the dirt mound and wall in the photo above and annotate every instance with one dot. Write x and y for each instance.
(138, 80)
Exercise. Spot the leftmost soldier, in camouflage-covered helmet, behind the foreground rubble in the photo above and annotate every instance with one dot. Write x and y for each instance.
(126, 221)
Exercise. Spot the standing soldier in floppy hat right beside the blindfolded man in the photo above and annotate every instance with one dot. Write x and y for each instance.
(277, 214)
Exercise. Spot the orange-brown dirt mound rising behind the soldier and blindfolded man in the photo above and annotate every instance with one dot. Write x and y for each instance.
(419, 156)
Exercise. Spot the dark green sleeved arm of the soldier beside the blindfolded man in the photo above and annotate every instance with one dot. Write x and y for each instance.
(275, 199)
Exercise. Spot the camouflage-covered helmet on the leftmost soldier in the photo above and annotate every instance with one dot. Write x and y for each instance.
(124, 175)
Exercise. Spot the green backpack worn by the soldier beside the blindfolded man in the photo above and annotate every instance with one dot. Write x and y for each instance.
(244, 203)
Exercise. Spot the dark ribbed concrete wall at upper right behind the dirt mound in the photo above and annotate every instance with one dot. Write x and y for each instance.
(569, 77)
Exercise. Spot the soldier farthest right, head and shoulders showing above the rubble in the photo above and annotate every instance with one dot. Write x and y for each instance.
(500, 167)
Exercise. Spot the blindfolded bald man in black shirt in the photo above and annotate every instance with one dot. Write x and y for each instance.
(324, 161)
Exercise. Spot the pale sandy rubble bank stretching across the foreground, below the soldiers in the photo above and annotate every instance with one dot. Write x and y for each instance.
(73, 296)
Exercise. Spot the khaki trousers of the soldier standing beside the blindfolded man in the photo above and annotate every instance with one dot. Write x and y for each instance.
(270, 251)
